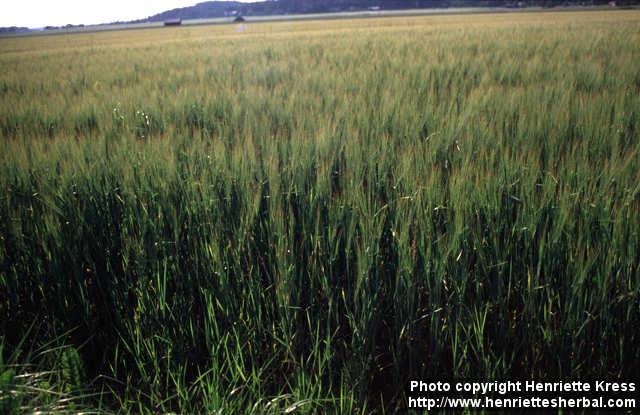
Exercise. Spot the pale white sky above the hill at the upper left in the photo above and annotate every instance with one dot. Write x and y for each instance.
(39, 13)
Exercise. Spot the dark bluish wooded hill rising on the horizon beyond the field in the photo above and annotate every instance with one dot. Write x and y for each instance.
(213, 9)
